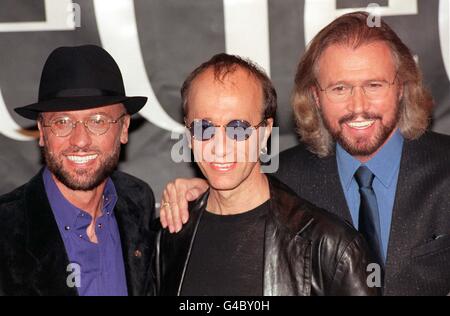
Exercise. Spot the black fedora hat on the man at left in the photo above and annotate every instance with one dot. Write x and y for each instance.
(79, 78)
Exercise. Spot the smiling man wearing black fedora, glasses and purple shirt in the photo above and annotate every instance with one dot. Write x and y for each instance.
(79, 227)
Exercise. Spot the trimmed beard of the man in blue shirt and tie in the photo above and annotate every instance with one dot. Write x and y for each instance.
(362, 146)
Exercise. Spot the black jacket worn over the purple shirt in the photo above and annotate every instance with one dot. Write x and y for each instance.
(33, 260)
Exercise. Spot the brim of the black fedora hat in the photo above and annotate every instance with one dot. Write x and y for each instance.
(132, 104)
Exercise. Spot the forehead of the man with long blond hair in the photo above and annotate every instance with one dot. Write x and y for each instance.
(369, 61)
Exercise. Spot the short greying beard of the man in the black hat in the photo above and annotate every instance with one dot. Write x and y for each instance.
(82, 179)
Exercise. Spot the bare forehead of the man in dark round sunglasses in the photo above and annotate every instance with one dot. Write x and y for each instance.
(239, 94)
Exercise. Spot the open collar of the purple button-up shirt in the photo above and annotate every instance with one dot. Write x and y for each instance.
(68, 216)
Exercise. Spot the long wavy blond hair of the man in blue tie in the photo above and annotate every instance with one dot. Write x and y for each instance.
(351, 29)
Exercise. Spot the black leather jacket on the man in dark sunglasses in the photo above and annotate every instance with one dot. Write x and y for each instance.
(308, 251)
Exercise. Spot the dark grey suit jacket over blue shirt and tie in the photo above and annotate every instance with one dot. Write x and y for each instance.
(418, 259)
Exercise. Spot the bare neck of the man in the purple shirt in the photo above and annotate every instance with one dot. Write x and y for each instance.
(89, 201)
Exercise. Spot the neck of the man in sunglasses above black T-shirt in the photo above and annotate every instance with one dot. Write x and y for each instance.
(251, 193)
